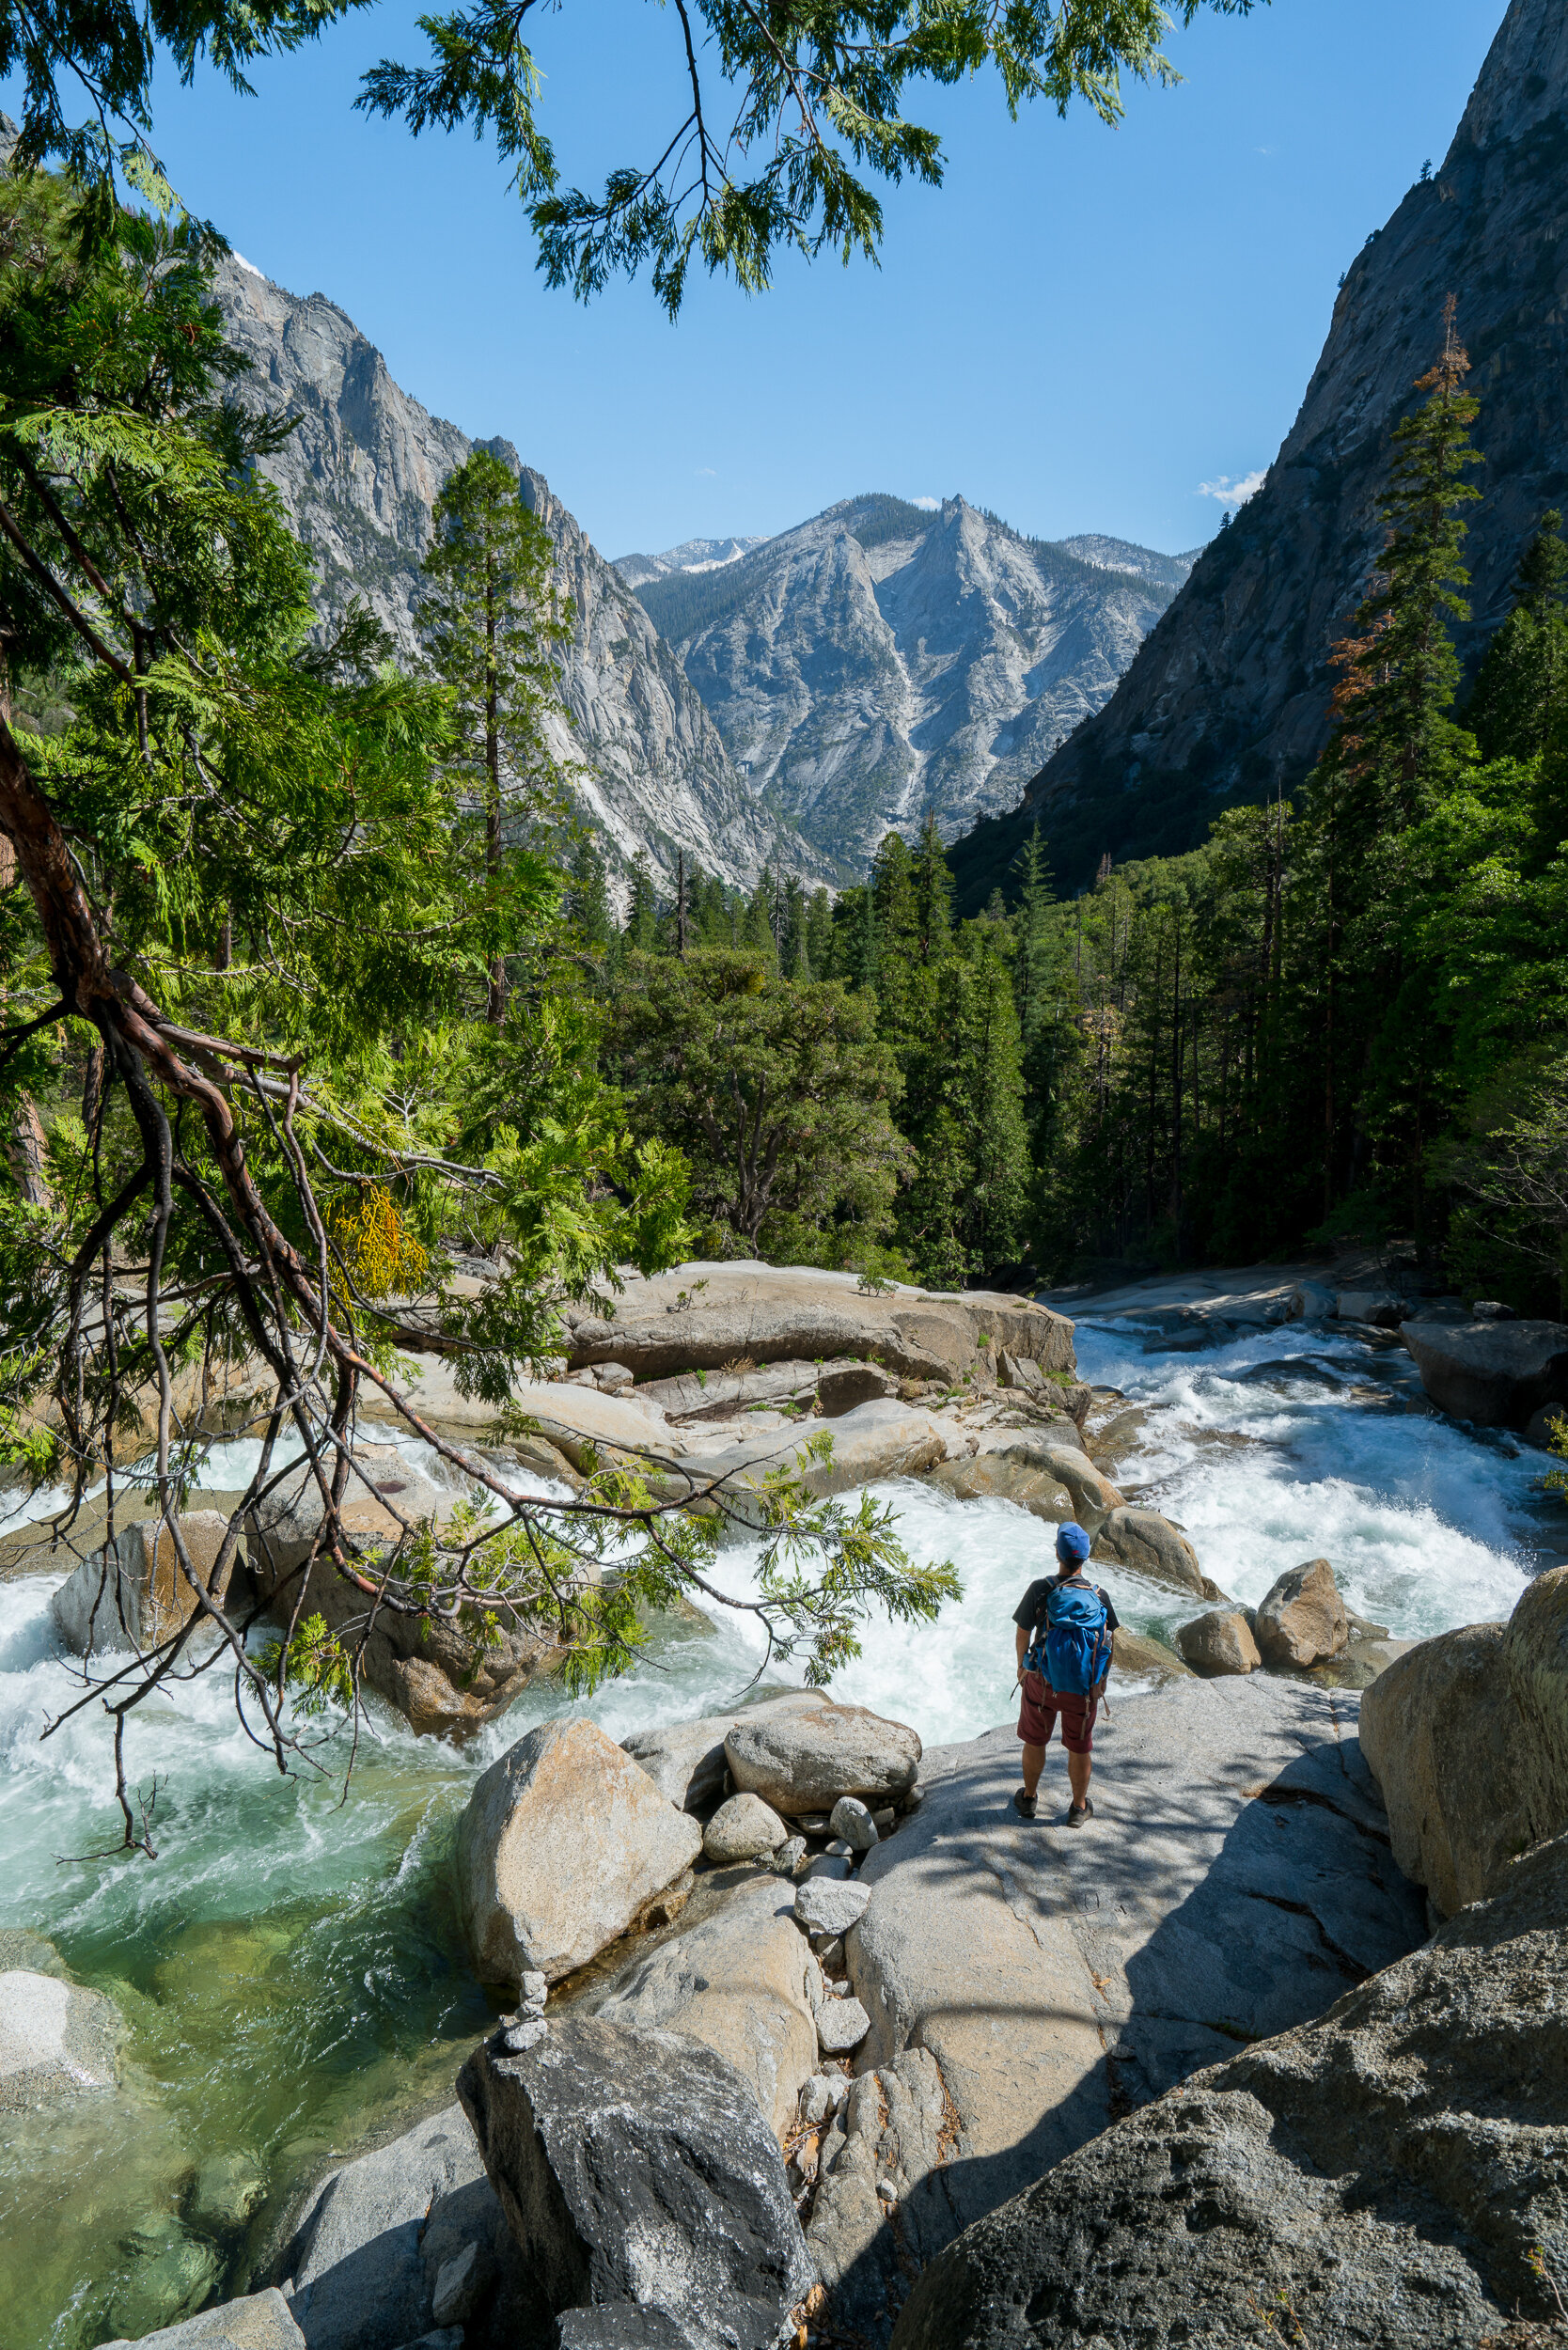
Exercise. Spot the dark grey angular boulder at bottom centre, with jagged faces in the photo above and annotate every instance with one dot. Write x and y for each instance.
(638, 2173)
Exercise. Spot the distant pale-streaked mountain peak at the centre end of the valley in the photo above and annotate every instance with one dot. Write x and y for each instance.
(883, 662)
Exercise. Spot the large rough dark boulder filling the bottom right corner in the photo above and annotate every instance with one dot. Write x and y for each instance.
(1386, 2177)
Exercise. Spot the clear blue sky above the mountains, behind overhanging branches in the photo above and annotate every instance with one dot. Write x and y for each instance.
(1080, 330)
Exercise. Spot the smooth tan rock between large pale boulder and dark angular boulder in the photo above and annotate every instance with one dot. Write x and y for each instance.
(746, 1985)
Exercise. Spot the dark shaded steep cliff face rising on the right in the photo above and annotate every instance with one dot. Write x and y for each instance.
(1228, 697)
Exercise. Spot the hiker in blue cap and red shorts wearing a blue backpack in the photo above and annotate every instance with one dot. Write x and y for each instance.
(1064, 1656)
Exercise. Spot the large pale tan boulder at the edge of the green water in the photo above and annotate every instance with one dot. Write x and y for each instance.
(563, 1846)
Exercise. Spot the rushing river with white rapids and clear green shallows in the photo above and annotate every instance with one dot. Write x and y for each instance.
(290, 1966)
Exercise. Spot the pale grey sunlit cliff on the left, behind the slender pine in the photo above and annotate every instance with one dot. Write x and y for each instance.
(359, 481)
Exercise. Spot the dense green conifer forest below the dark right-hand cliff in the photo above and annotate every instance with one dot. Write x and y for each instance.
(1343, 1016)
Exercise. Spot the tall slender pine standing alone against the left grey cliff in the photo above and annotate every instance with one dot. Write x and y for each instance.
(490, 624)
